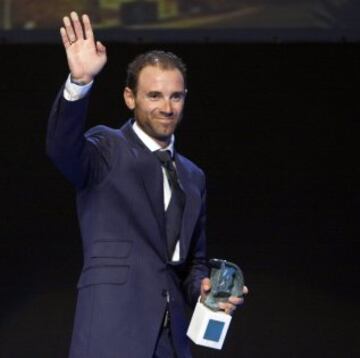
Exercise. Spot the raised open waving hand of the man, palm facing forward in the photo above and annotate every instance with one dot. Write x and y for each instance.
(85, 57)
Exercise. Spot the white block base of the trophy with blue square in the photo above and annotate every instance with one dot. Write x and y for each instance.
(208, 328)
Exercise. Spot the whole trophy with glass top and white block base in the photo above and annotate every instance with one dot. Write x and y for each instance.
(209, 324)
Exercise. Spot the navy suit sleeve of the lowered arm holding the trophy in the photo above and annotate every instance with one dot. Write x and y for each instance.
(197, 264)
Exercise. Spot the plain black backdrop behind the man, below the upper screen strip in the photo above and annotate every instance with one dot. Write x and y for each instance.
(274, 126)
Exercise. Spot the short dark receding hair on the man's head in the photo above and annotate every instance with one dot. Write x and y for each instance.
(164, 59)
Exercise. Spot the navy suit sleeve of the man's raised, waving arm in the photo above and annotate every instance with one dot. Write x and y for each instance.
(84, 158)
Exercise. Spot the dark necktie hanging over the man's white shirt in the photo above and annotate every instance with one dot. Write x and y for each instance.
(174, 211)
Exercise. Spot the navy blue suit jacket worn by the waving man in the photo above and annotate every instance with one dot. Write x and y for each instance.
(126, 273)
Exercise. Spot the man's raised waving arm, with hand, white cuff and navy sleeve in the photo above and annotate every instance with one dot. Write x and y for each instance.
(66, 144)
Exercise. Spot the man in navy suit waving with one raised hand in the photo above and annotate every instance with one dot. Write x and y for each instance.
(134, 285)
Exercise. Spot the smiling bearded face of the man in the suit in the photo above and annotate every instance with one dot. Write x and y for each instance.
(158, 102)
